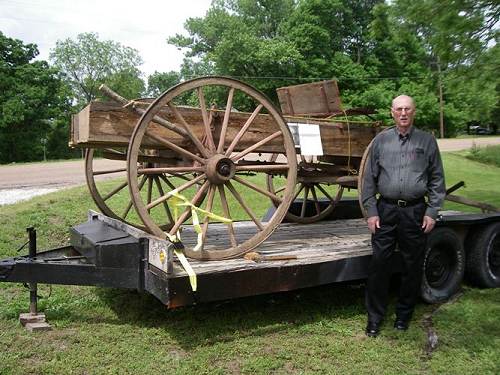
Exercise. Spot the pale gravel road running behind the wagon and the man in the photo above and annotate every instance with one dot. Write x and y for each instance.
(23, 181)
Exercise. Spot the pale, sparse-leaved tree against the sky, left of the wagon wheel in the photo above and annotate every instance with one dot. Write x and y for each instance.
(88, 62)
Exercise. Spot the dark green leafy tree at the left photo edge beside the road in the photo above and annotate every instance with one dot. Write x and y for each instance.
(33, 102)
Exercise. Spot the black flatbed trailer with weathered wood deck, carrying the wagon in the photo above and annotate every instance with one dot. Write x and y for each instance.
(109, 253)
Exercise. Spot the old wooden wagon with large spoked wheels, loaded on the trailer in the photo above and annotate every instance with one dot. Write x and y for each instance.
(231, 152)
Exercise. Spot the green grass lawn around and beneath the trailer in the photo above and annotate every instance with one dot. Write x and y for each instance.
(318, 330)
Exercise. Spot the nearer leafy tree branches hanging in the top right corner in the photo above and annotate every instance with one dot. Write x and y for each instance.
(456, 35)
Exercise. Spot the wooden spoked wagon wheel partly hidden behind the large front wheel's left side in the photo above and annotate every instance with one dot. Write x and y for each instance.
(112, 197)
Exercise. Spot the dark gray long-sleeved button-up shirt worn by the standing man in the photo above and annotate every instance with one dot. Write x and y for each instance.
(404, 168)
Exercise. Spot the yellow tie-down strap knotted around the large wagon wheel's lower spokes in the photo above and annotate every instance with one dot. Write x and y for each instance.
(178, 200)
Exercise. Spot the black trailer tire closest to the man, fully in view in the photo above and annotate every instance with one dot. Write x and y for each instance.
(444, 266)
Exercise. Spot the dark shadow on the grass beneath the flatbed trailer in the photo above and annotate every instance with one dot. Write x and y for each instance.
(228, 320)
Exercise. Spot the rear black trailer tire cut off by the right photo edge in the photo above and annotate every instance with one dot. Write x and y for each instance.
(483, 258)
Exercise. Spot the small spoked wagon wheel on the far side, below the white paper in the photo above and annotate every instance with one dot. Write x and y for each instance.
(322, 195)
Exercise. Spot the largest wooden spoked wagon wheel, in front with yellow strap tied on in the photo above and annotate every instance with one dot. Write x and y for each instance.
(219, 167)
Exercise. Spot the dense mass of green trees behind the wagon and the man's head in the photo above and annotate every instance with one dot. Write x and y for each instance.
(375, 49)
